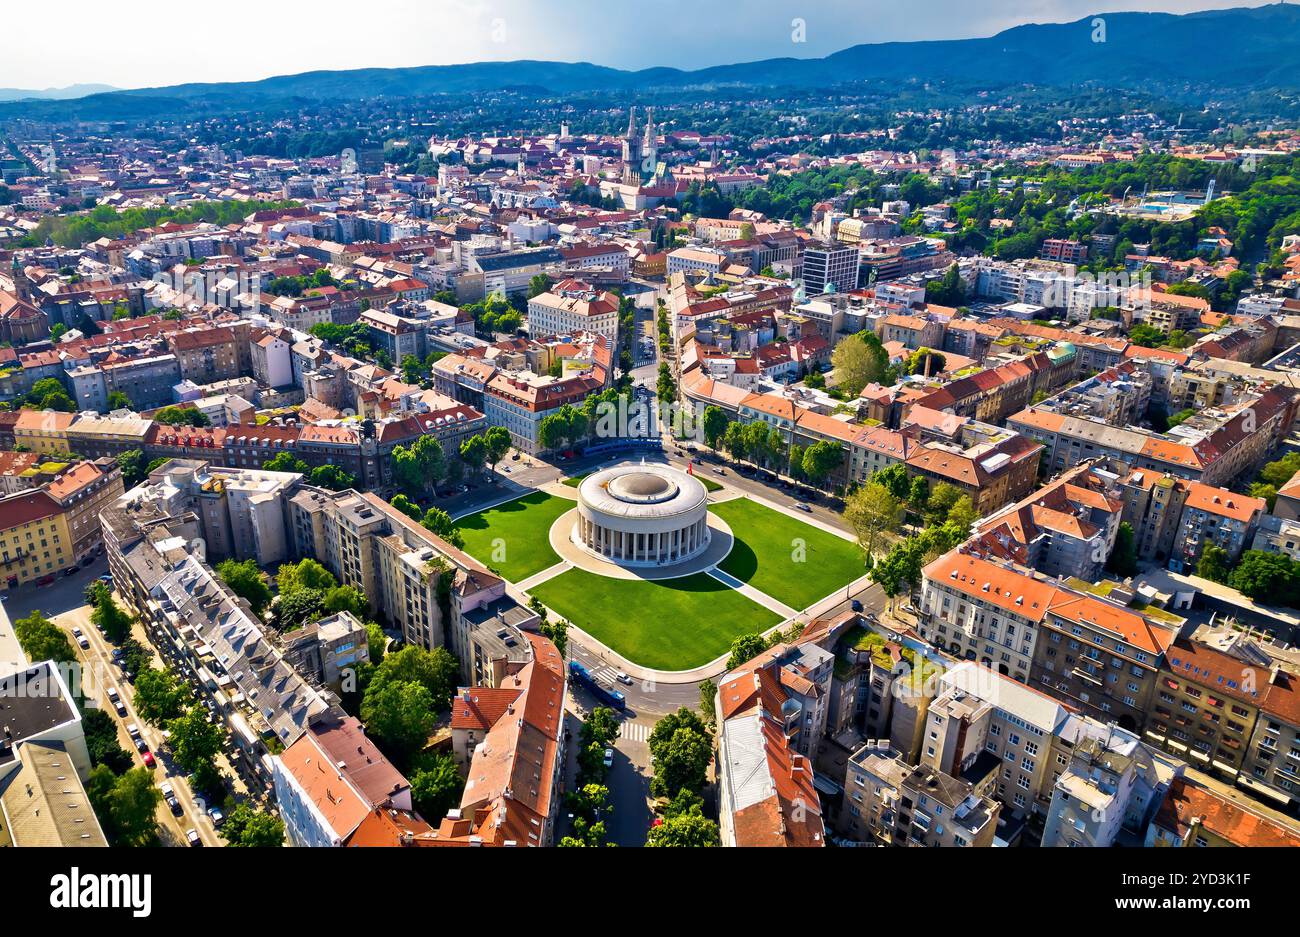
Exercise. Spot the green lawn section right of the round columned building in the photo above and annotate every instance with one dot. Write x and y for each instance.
(766, 554)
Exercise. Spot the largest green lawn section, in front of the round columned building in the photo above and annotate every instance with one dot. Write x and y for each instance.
(668, 624)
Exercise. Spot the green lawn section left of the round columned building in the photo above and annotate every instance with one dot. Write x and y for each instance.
(523, 527)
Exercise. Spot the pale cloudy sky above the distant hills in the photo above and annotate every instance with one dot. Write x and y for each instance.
(150, 44)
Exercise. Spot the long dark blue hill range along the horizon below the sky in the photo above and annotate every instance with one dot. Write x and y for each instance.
(1204, 53)
